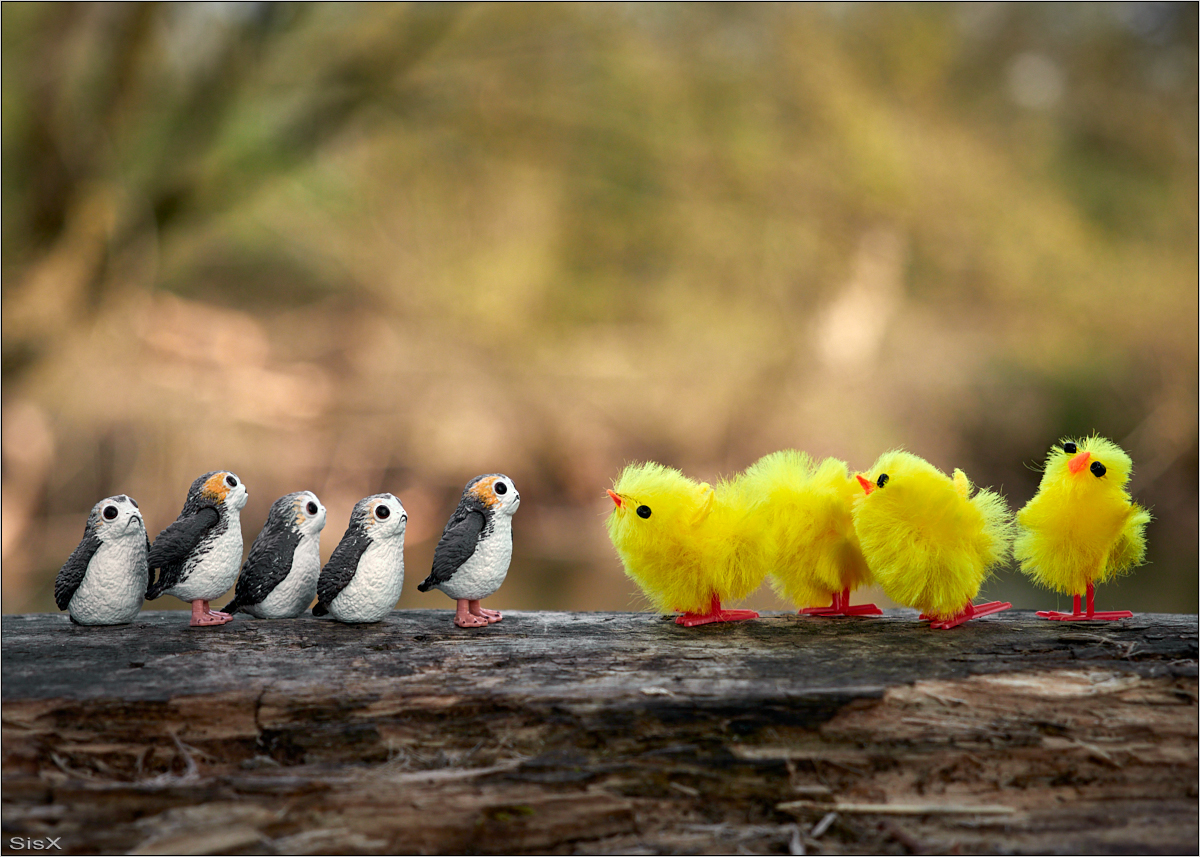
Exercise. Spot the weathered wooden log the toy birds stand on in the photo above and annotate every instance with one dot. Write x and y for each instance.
(602, 733)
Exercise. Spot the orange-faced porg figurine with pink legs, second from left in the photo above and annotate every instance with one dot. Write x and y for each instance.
(199, 555)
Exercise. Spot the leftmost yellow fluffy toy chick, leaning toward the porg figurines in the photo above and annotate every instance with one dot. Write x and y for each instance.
(688, 546)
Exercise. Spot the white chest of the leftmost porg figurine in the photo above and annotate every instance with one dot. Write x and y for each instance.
(116, 584)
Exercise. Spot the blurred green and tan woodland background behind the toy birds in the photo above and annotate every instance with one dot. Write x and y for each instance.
(386, 248)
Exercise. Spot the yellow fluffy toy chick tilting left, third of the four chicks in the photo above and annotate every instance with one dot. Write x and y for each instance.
(929, 544)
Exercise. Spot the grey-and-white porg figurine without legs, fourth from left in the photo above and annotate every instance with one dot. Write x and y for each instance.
(363, 578)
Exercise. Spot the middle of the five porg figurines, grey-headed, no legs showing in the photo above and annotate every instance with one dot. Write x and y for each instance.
(279, 579)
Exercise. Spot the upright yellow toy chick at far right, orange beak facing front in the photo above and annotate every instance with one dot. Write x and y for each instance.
(1082, 528)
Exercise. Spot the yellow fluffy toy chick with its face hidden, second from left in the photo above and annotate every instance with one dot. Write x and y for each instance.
(809, 542)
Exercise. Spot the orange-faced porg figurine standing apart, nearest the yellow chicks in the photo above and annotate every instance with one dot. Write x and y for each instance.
(472, 558)
